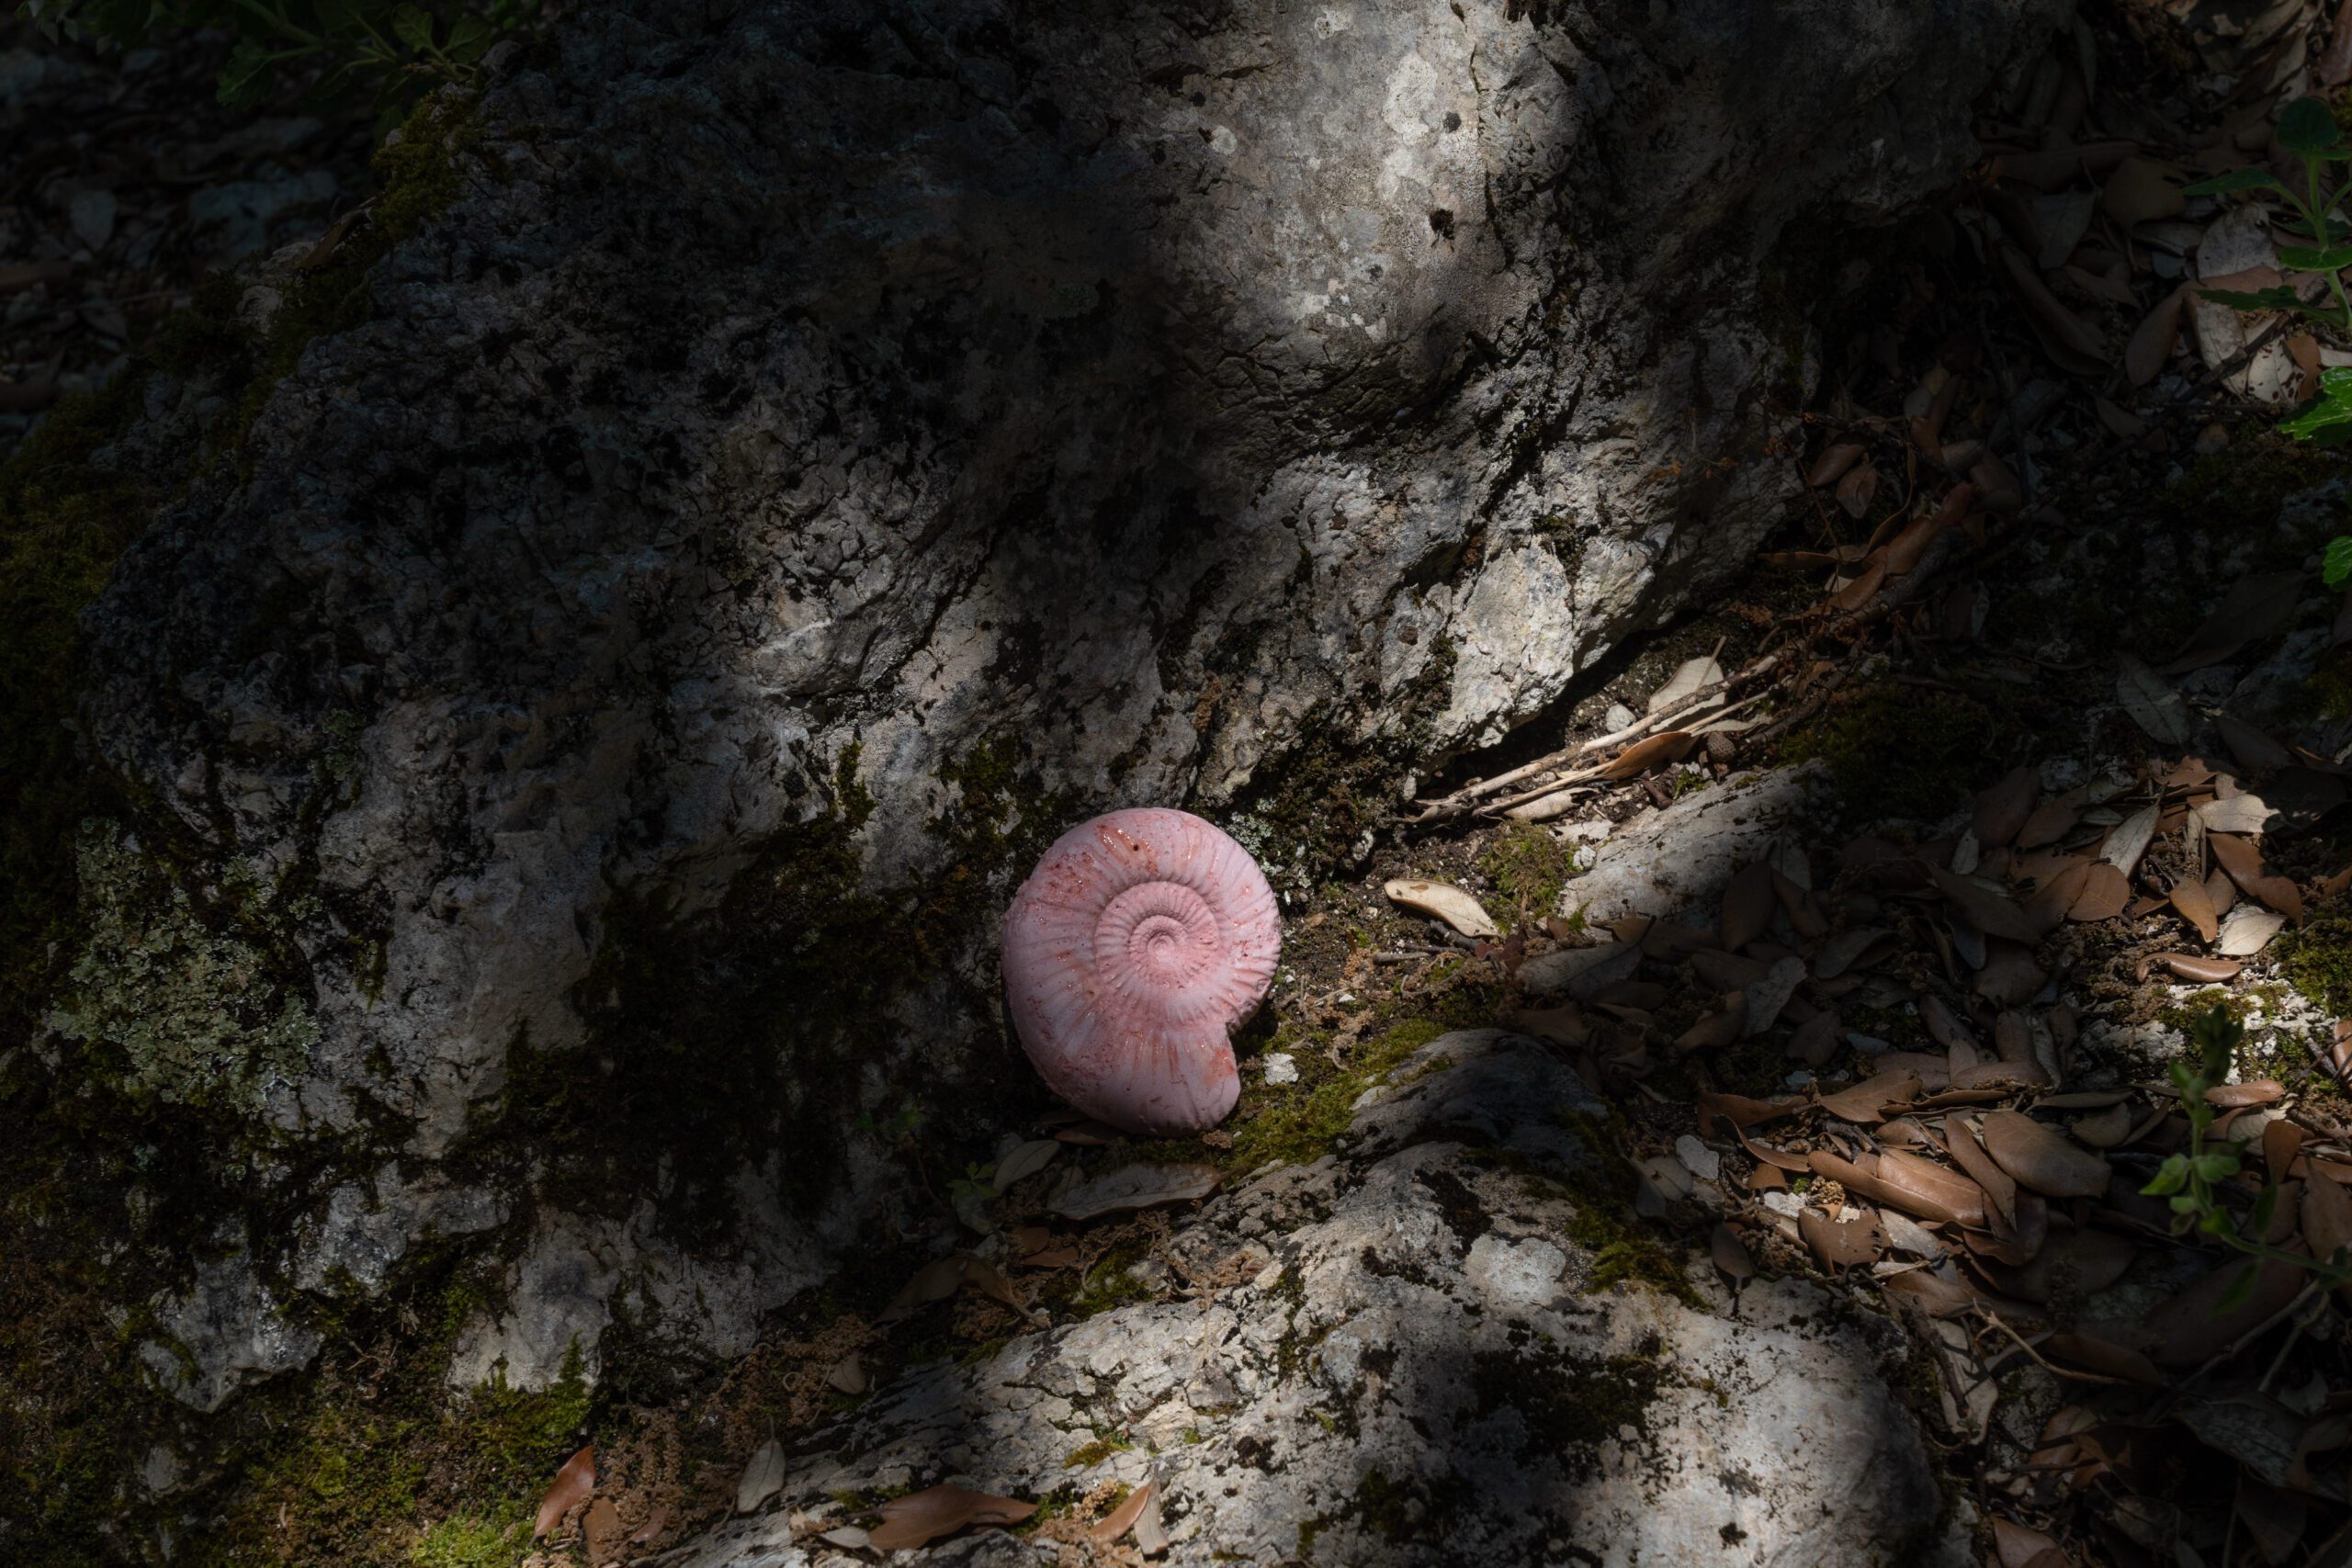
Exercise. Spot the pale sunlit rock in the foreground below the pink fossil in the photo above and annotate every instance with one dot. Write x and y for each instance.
(1417, 1374)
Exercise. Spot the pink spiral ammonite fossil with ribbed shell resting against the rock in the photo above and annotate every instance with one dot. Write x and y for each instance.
(1130, 956)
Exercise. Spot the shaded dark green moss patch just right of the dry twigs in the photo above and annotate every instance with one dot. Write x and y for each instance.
(1899, 751)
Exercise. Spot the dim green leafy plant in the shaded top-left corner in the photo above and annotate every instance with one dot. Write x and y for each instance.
(399, 51)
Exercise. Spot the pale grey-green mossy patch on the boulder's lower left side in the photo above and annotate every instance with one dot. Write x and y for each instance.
(182, 1000)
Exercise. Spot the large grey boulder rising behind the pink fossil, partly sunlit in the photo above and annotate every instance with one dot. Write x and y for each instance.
(1161, 387)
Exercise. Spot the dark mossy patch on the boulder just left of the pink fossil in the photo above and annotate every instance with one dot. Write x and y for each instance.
(754, 1028)
